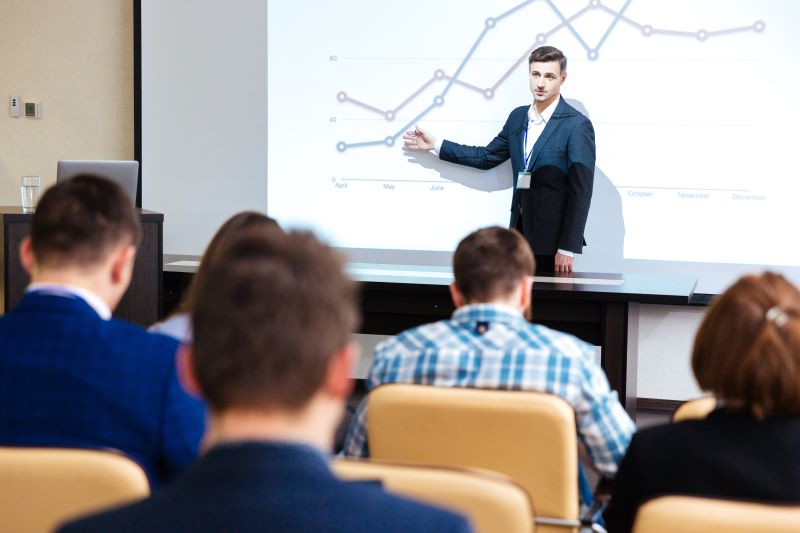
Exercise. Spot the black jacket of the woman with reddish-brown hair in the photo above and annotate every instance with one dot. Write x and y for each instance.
(727, 455)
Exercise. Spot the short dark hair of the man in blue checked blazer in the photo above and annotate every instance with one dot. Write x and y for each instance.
(78, 221)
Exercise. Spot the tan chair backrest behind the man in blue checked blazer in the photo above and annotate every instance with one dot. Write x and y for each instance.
(42, 487)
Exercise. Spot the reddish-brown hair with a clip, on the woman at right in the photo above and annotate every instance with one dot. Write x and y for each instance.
(747, 350)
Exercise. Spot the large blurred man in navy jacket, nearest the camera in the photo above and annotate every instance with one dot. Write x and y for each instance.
(273, 357)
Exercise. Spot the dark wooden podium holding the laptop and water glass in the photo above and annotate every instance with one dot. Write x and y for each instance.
(140, 304)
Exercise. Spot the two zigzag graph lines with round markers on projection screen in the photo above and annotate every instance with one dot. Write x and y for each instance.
(454, 79)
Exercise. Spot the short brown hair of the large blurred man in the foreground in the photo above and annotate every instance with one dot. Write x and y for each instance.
(272, 310)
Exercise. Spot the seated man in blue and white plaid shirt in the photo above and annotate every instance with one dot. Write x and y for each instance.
(489, 344)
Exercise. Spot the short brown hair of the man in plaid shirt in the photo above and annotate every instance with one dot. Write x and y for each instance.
(490, 263)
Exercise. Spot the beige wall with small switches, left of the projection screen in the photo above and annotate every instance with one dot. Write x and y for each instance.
(76, 58)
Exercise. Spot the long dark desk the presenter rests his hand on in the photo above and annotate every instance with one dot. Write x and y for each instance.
(604, 315)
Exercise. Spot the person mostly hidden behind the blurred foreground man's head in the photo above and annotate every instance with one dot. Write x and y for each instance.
(178, 324)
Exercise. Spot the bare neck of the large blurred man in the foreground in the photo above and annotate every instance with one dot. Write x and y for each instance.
(313, 425)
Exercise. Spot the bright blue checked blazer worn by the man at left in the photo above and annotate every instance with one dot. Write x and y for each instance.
(69, 378)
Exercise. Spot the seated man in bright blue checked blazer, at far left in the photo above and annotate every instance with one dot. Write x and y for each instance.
(72, 376)
